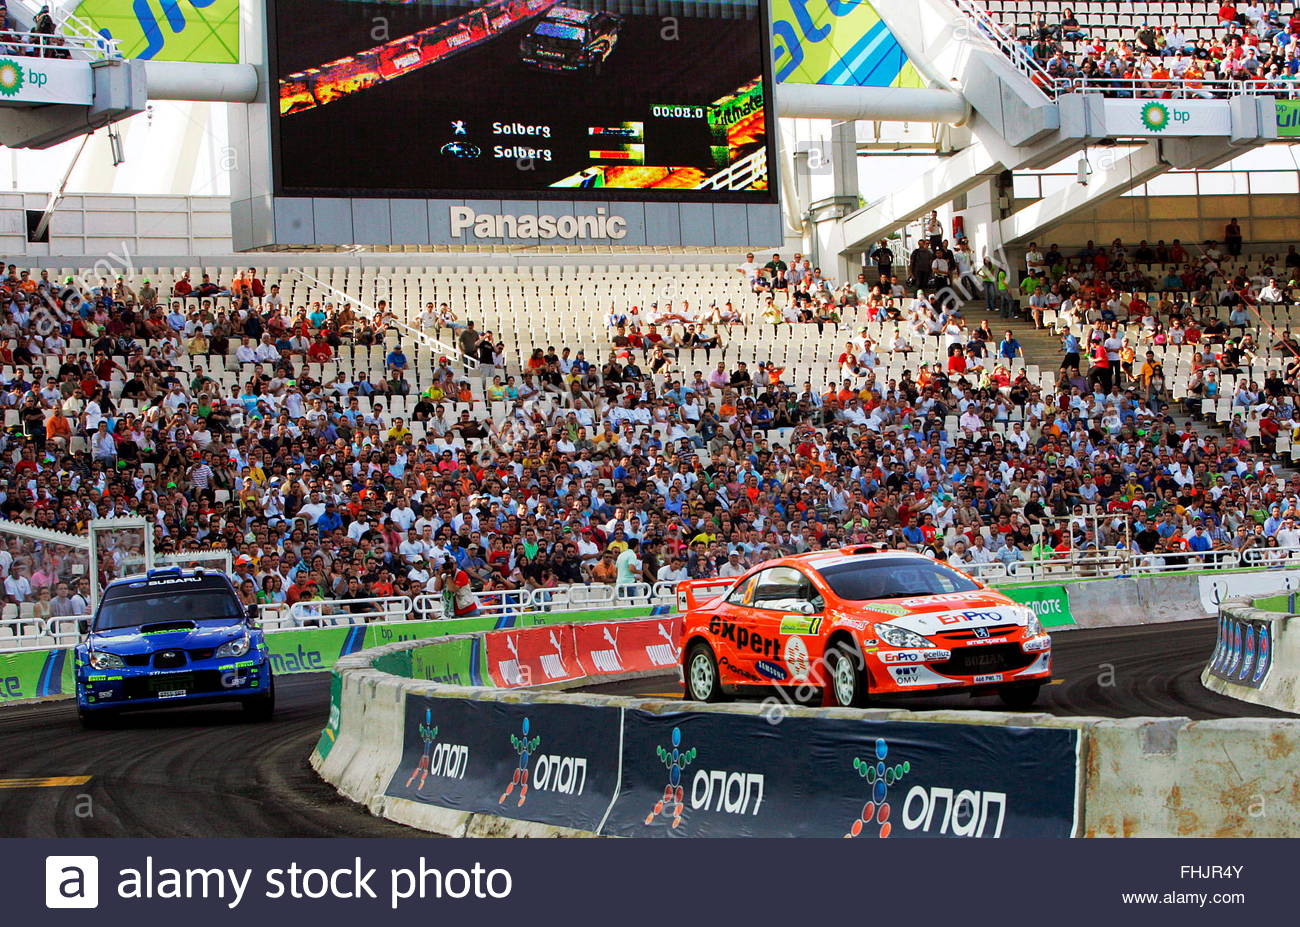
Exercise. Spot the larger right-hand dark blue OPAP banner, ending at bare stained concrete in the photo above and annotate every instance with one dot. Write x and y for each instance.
(704, 774)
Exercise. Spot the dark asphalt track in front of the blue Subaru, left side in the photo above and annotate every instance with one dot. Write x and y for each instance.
(202, 773)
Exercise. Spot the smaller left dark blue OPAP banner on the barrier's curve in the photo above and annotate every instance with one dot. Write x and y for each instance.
(548, 764)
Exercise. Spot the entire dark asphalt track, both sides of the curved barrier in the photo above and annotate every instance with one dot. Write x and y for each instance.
(206, 773)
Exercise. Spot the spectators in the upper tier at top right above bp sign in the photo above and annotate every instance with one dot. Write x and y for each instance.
(1255, 44)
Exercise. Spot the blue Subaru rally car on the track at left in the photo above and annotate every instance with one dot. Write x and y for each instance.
(171, 638)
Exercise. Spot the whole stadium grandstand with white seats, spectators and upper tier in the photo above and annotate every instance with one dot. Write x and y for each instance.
(1074, 361)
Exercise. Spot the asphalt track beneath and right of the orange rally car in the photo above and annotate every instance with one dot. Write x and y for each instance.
(1151, 670)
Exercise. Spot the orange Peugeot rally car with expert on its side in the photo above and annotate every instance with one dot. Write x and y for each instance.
(860, 622)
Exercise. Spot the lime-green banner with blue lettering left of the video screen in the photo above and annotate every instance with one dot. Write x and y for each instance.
(201, 32)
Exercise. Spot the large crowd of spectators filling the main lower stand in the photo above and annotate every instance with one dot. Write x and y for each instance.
(608, 470)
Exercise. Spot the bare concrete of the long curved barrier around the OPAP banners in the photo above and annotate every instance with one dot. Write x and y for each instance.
(1141, 777)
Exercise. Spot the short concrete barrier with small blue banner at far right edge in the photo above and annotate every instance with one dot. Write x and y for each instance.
(1258, 659)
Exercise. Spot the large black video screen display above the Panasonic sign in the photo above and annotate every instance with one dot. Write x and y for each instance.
(530, 99)
